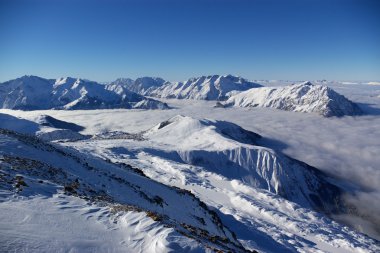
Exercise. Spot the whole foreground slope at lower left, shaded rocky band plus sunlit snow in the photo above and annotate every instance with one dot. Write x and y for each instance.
(144, 215)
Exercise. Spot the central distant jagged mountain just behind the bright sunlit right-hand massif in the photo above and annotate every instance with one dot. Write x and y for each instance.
(215, 87)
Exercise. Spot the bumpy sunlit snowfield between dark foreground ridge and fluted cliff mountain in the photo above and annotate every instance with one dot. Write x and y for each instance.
(262, 221)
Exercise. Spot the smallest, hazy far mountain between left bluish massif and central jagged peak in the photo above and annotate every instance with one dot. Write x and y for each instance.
(142, 85)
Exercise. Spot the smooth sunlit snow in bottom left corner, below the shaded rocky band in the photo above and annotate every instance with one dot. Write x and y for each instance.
(62, 223)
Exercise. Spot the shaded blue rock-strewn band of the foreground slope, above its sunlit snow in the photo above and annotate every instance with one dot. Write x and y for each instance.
(29, 162)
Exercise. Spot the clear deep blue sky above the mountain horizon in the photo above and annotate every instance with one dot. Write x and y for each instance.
(265, 39)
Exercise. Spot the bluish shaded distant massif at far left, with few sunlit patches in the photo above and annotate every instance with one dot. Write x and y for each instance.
(31, 92)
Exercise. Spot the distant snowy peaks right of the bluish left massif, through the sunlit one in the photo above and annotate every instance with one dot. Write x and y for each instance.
(302, 97)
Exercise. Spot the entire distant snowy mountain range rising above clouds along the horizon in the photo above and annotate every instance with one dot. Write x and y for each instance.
(32, 92)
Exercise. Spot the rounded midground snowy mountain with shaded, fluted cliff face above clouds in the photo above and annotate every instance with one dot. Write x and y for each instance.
(233, 152)
